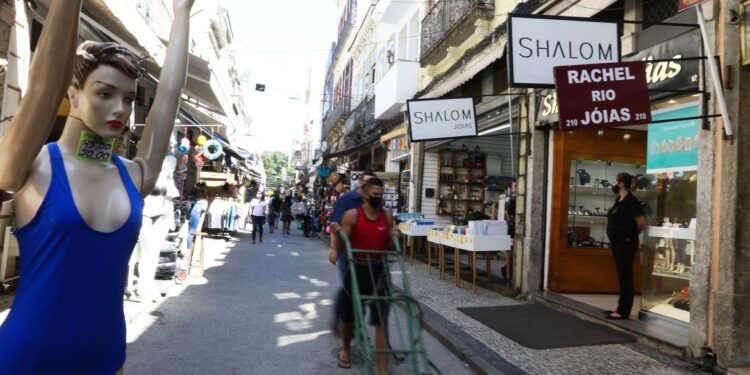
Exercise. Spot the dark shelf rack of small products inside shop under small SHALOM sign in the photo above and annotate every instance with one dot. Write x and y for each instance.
(461, 183)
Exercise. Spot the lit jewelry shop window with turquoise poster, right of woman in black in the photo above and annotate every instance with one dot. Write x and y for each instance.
(669, 241)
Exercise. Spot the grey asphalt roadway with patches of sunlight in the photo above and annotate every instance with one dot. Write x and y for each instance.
(262, 309)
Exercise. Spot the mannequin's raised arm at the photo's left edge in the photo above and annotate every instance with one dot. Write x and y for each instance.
(49, 78)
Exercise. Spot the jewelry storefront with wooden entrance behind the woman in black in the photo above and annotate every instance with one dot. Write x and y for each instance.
(663, 156)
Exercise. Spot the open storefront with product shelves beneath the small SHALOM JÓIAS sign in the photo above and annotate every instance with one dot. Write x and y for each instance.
(469, 178)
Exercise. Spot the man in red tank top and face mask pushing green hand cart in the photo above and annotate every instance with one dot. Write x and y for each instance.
(368, 227)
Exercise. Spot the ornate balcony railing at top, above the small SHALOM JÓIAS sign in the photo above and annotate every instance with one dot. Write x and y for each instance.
(444, 16)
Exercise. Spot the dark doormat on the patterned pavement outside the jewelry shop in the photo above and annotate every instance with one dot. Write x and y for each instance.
(538, 327)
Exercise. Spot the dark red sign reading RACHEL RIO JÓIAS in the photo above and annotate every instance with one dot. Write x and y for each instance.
(602, 95)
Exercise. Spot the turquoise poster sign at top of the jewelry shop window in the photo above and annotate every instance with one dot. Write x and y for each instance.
(672, 146)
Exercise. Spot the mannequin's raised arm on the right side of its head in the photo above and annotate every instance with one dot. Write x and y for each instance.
(160, 121)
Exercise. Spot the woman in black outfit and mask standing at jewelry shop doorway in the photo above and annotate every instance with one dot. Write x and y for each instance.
(625, 220)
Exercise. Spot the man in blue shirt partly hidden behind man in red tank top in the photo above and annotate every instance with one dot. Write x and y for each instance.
(346, 202)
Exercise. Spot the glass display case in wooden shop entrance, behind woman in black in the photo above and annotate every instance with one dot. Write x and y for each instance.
(591, 197)
